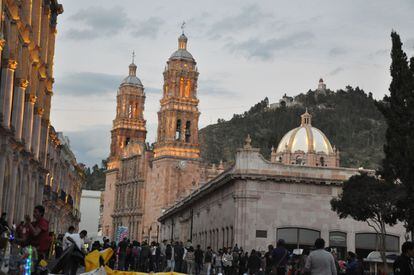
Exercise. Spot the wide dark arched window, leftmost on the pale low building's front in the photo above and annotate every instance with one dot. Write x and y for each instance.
(298, 237)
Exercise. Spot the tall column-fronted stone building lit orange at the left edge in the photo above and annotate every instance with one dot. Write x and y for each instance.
(30, 150)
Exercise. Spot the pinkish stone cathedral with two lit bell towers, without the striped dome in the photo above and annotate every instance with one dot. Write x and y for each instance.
(143, 181)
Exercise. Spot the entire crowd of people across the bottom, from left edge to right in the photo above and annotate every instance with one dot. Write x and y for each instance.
(69, 250)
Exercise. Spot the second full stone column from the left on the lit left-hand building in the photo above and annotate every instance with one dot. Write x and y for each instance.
(18, 108)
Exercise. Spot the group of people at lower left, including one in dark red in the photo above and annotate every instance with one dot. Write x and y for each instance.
(68, 249)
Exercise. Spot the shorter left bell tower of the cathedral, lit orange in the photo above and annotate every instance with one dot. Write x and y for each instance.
(129, 122)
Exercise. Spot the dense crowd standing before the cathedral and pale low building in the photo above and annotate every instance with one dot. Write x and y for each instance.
(190, 259)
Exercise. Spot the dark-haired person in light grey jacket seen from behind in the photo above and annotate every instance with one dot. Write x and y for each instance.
(320, 261)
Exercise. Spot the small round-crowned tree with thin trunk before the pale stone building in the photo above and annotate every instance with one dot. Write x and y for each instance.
(369, 199)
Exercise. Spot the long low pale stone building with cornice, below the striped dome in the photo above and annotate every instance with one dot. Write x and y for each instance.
(256, 201)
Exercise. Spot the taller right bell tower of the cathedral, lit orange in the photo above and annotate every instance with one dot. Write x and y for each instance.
(178, 116)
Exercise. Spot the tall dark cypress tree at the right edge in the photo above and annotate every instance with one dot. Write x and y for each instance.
(398, 111)
